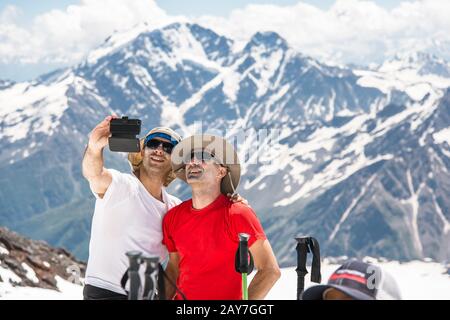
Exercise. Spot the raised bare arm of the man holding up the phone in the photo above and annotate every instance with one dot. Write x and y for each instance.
(99, 177)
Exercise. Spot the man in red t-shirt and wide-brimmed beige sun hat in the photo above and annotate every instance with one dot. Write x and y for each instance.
(202, 234)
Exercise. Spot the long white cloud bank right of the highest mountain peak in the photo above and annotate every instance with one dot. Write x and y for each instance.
(350, 31)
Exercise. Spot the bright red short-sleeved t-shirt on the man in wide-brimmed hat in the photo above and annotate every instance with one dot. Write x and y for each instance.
(206, 241)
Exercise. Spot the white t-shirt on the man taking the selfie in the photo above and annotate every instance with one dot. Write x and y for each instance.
(127, 218)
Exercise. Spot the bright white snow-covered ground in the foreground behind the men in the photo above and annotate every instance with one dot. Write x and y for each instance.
(418, 280)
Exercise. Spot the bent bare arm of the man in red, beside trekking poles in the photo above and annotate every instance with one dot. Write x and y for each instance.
(268, 271)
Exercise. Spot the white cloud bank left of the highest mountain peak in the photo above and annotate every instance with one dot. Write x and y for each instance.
(65, 36)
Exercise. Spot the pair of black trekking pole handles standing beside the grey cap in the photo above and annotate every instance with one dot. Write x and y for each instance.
(304, 246)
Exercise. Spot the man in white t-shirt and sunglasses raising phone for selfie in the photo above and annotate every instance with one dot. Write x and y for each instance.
(129, 207)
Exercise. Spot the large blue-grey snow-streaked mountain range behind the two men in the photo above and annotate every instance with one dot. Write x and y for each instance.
(362, 162)
